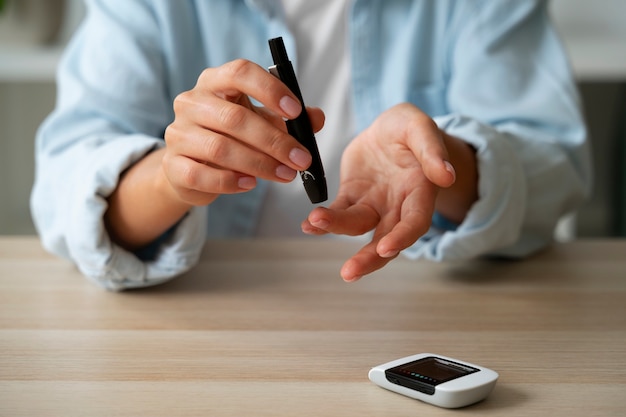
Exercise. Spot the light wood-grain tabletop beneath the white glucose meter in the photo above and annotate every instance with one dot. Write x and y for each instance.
(267, 328)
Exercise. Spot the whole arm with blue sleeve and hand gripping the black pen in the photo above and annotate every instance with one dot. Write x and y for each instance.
(105, 183)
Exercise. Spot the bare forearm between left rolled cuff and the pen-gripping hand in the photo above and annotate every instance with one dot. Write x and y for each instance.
(143, 206)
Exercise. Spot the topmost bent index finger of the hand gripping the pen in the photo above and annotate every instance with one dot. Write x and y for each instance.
(242, 77)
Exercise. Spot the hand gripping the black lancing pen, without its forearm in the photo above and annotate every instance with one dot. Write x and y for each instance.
(220, 143)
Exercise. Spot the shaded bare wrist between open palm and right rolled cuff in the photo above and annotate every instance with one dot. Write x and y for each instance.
(454, 202)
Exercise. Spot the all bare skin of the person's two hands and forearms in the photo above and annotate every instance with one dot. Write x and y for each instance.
(394, 175)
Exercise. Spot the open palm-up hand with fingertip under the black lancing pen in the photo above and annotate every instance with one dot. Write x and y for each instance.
(391, 175)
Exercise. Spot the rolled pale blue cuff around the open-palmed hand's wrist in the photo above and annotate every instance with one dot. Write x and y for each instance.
(495, 221)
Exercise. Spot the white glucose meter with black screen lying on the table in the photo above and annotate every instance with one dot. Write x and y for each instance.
(436, 379)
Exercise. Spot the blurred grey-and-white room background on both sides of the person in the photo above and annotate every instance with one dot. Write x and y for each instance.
(34, 32)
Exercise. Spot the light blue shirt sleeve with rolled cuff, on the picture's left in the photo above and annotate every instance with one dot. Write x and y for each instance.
(112, 108)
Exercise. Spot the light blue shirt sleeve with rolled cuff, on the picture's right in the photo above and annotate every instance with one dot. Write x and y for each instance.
(513, 98)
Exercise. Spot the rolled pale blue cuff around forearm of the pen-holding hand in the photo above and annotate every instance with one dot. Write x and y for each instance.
(90, 247)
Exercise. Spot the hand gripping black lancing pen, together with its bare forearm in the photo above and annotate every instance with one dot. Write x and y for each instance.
(218, 143)
